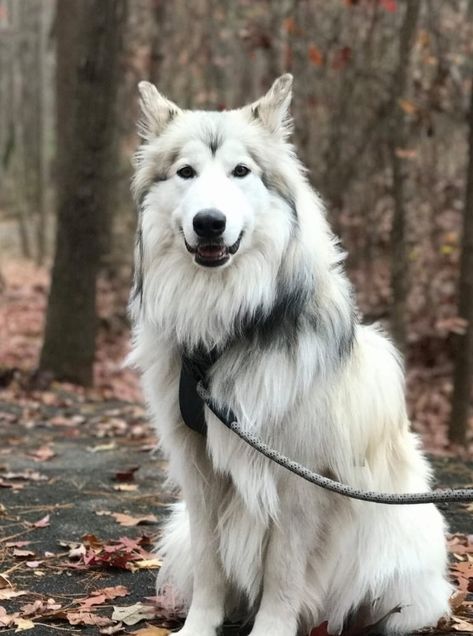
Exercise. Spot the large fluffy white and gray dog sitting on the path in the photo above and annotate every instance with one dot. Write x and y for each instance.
(236, 266)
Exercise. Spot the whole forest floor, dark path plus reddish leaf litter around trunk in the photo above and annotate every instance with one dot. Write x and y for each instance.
(81, 490)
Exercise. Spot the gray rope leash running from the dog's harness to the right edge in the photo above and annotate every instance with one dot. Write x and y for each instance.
(439, 496)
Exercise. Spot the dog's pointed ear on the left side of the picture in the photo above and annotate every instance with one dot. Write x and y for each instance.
(156, 110)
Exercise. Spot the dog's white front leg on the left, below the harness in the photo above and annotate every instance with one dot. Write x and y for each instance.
(206, 612)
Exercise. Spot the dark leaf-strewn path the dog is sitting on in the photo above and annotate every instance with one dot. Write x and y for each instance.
(82, 496)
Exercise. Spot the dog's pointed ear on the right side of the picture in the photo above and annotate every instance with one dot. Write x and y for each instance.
(273, 108)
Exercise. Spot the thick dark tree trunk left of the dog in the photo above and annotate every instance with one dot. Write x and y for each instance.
(89, 36)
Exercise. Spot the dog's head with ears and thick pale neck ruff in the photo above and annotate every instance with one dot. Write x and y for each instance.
(232, 240)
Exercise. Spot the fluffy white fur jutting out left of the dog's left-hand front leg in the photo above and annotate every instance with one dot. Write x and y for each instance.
(175, 549)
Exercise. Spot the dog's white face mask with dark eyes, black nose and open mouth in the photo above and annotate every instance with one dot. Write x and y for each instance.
(215, 190)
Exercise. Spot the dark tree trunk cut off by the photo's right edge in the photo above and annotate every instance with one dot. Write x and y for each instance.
(463, 373)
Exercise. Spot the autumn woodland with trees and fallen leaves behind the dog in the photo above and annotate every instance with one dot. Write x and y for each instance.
(383, 111)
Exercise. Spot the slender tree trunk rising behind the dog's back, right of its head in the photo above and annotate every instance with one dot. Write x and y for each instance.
(399, 139)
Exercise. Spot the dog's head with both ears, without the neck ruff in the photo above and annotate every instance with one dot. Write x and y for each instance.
(208, 176)
